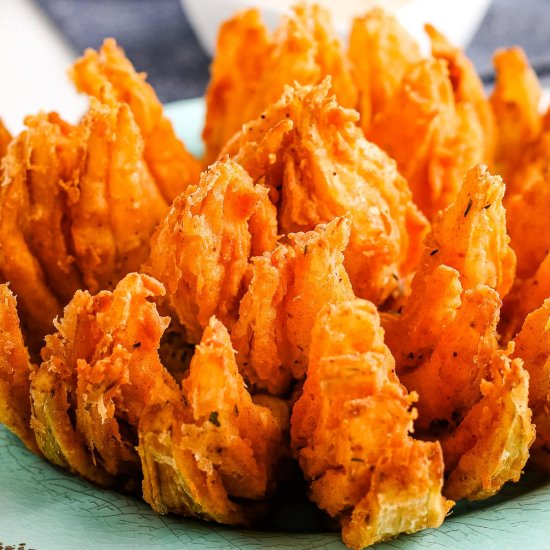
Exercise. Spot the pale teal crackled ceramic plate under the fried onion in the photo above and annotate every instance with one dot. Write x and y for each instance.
(45, 508)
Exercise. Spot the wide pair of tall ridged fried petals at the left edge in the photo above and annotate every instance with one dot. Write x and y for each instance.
(78, 207)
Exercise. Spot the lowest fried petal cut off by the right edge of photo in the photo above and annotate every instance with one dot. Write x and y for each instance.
(532, 345)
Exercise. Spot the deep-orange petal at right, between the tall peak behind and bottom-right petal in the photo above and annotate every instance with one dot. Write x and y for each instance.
(447, 371)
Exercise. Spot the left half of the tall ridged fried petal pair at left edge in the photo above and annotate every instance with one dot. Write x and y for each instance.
(35, 253)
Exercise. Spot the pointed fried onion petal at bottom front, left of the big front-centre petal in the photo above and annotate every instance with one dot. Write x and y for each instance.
(200, 454)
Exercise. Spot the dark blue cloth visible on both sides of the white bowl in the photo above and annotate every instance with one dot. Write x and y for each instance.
(159, 40)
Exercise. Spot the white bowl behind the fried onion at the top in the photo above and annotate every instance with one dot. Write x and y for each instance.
(456, 19)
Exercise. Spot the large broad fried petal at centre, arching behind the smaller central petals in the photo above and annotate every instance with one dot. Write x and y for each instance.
(327, 168)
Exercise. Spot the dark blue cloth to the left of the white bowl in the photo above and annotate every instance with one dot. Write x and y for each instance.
(155, 34)
